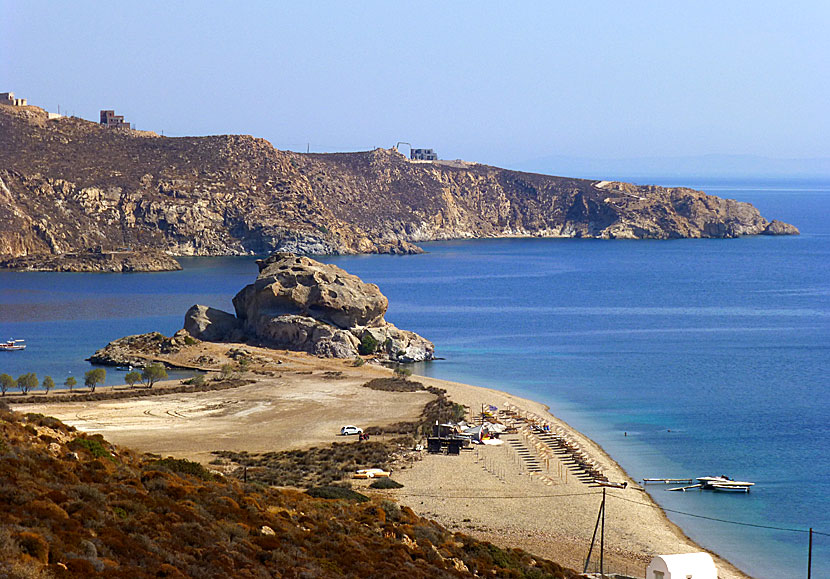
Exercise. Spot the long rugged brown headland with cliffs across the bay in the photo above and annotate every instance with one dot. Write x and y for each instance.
(69, 184)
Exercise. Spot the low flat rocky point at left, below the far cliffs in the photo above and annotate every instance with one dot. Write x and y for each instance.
(97, 262)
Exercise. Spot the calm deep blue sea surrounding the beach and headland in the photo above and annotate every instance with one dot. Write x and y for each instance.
(682, 358)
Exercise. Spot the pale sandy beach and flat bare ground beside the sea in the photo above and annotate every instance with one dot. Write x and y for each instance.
(299, 401)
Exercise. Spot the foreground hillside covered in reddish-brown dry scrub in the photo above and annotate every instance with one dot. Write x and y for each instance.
(73, 505)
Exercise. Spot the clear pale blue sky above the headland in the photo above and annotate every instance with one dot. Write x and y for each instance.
(494, 82)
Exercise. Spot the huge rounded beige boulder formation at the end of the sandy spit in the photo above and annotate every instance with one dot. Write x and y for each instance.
(301, 304)
